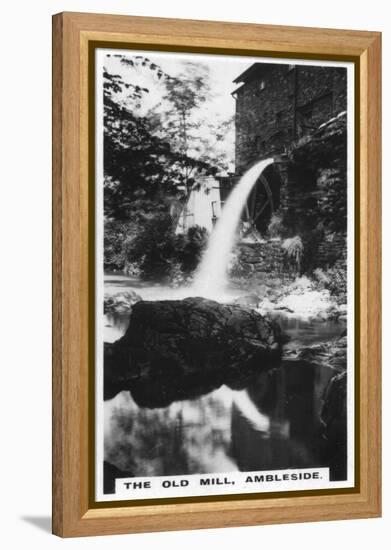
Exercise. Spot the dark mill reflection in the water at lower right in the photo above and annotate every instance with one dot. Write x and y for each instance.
(291, 398)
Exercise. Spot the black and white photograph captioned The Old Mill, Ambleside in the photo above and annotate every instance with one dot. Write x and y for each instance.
(224, 275)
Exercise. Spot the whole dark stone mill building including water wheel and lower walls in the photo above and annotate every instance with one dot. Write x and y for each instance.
(297, 115)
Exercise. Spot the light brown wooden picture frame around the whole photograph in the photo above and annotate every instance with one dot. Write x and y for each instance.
(74, 36)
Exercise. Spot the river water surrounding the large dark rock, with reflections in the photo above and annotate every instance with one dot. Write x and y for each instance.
(273, 424)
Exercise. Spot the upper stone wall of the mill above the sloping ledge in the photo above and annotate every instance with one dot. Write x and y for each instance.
(277, 104)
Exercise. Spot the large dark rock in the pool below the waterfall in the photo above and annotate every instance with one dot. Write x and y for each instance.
(179, 349)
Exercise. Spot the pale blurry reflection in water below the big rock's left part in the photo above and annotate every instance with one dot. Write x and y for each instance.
(187, 437)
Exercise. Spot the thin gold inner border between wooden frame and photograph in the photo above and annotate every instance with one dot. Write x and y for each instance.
(101, 44)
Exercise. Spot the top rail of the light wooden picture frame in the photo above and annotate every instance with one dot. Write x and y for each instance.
(217, 34)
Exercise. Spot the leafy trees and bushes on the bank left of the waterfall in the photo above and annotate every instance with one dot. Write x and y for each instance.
(149, 171)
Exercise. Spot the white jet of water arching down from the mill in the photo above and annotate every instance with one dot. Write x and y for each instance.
(211, 277)
